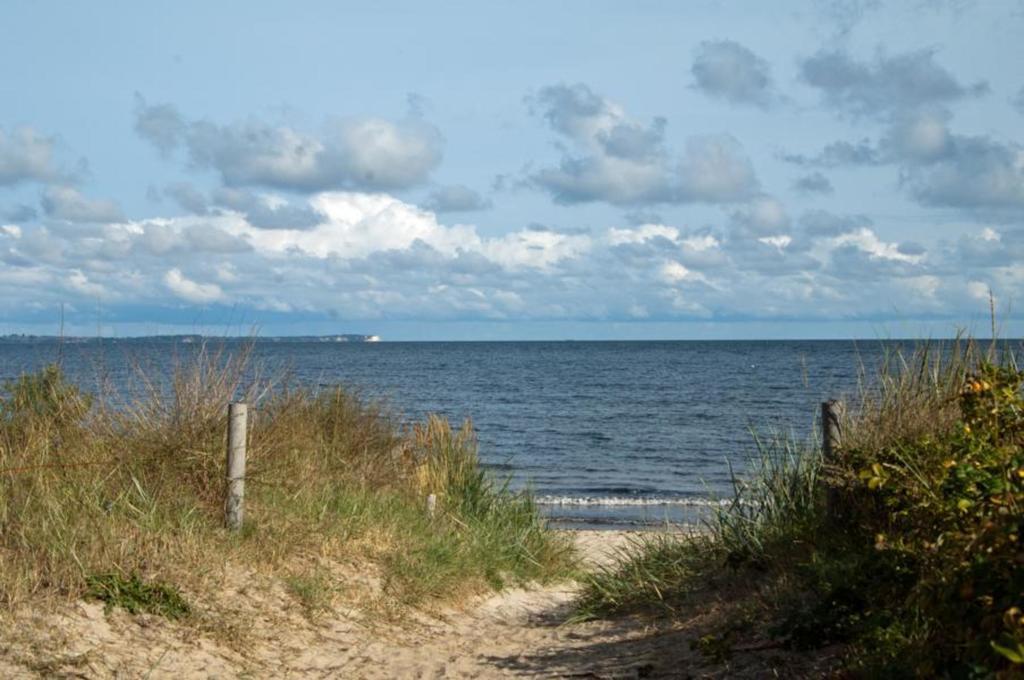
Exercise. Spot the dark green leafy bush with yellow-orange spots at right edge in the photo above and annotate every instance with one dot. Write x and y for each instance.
(949, 508)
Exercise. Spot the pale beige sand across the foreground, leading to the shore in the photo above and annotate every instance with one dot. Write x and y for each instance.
(517, 633)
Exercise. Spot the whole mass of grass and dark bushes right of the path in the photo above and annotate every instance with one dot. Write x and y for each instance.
(906, 550)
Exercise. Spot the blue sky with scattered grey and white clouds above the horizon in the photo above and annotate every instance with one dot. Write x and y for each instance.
(513, 171)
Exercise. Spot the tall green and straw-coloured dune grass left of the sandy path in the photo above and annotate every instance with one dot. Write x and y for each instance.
(120, 497)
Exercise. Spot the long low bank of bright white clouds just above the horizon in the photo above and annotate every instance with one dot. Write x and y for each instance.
(375, 257)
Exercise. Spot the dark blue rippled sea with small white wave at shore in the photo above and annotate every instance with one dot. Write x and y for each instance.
(606, 434)
